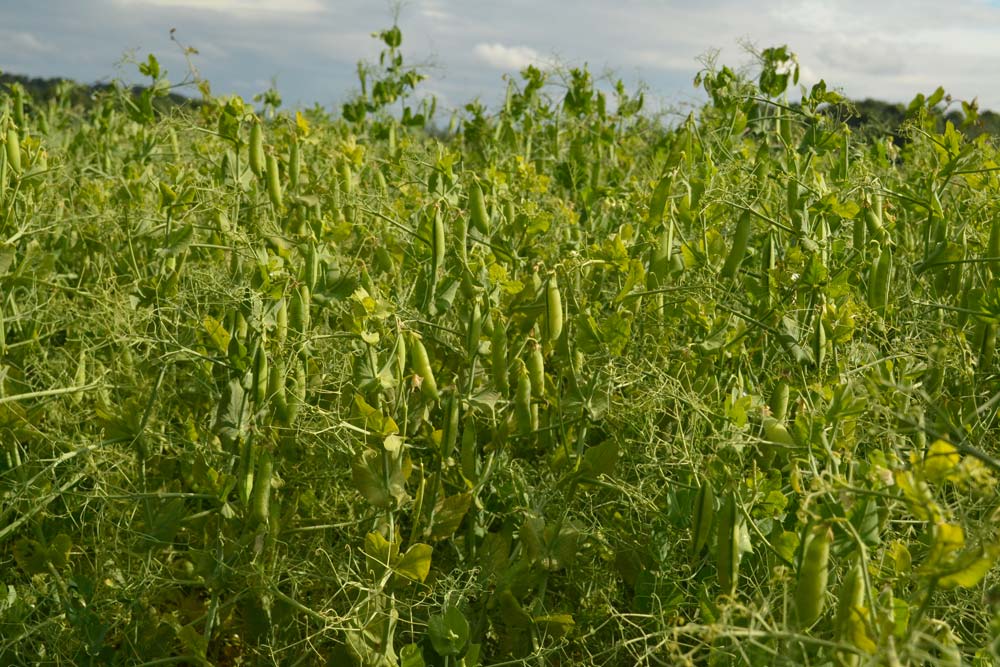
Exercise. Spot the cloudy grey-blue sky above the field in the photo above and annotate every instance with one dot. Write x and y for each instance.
(890, 49)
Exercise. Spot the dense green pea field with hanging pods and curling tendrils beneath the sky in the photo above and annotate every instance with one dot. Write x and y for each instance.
(563, 381)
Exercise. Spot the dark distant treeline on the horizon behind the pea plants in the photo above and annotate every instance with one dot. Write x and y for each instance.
(868, 118)
